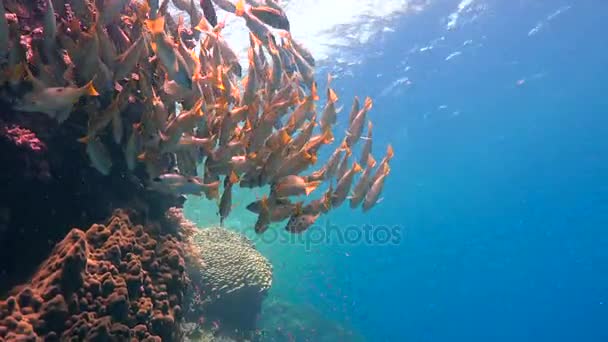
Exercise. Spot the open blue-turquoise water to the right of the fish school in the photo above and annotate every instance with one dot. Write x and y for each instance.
(497, 192)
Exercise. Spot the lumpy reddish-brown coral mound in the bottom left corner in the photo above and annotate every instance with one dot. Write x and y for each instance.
(117, 281)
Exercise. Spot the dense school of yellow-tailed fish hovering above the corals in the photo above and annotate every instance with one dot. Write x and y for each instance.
(174, 96)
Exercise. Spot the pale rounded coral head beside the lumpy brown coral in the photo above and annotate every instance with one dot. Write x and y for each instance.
(230, 281)
